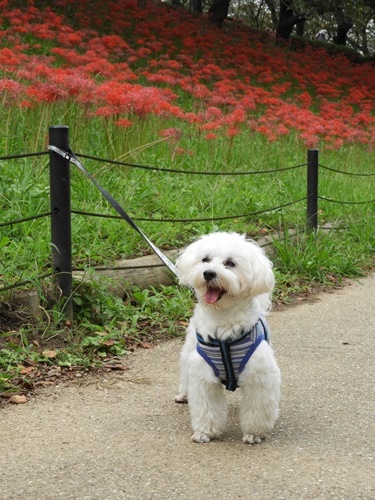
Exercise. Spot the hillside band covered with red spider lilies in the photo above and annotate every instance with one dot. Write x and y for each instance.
(118, 62)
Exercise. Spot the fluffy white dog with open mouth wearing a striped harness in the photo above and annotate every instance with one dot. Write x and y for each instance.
(227, 337)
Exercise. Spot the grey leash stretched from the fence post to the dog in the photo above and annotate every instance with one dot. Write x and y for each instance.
(71, 157)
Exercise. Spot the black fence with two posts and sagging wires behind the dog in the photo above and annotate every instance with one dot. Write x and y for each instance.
(60, 204)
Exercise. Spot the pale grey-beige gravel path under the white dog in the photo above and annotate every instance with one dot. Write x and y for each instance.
(123, 437)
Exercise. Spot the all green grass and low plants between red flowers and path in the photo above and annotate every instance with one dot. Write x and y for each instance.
(106, 326)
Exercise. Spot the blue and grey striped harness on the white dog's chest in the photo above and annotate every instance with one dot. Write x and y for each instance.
(228, 358)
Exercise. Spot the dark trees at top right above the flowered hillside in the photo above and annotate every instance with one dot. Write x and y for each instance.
(348, 23)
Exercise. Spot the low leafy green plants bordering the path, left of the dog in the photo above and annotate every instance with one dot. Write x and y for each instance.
(104, 327)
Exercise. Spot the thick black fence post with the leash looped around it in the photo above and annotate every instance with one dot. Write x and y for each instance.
(61, 239)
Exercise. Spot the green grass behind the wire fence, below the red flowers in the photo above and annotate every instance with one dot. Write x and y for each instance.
(151, 194)
